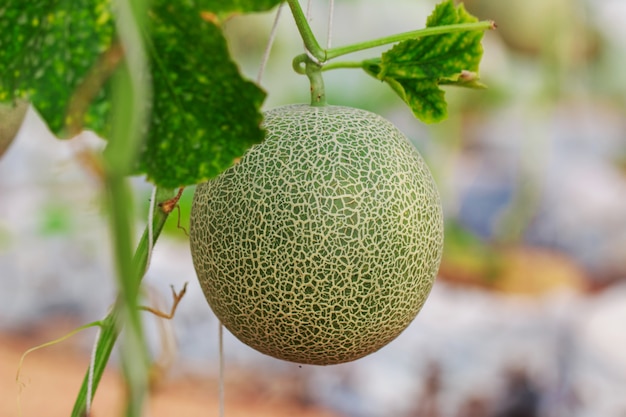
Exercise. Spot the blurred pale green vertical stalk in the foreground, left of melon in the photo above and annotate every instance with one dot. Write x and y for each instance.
(131, 92)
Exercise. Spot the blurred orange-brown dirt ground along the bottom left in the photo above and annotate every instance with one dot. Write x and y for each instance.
(51, 377)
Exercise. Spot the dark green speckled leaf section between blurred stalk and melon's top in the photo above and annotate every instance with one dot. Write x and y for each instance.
(205, 114)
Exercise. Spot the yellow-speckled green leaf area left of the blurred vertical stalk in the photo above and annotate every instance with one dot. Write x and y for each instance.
(46, 50)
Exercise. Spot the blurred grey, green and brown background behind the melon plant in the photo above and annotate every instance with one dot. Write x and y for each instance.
(528, 316)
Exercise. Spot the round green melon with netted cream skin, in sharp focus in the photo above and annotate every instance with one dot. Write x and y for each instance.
(321, 245)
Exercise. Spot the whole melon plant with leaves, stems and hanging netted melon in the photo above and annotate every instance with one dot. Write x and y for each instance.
(321, 244)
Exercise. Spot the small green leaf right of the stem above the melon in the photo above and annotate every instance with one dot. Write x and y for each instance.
(417, 67)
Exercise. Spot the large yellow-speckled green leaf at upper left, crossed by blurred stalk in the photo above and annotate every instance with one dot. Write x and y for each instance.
(60, 54)
